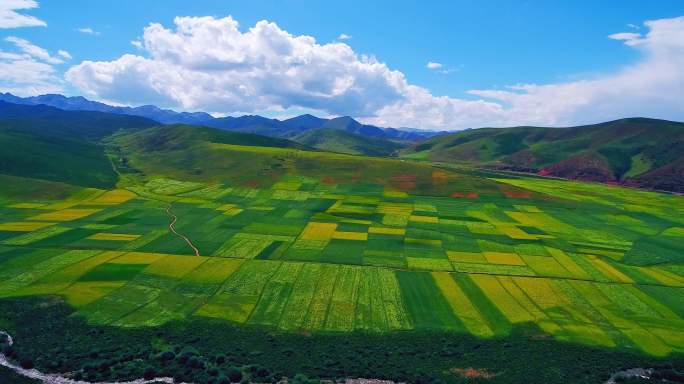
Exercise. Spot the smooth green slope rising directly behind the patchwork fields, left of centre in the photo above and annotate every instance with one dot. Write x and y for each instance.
(208, 155)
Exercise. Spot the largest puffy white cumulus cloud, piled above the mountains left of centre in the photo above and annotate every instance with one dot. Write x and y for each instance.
(208, 63)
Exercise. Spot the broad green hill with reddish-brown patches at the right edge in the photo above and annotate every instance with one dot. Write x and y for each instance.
(638, 151)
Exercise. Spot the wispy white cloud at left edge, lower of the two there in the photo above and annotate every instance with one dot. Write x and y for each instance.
(30, 69)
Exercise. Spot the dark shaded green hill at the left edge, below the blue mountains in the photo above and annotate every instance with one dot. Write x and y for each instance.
(47, 143)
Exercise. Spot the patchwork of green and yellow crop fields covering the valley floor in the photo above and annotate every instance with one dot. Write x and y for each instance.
(591, 264)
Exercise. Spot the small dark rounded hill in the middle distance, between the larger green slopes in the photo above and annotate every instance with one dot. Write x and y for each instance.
(336, 140)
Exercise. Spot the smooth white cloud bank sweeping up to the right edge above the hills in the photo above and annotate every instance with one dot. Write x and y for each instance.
(651, 87)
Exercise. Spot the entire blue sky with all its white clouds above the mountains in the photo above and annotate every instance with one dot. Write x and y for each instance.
(432, 65)
